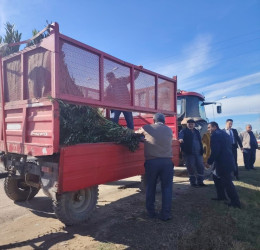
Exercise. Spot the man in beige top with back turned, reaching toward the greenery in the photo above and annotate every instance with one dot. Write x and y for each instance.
(158, 164)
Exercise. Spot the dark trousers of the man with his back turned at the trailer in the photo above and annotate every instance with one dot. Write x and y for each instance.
(162, 168)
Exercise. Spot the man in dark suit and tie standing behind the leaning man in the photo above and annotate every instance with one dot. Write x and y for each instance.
(235, 140)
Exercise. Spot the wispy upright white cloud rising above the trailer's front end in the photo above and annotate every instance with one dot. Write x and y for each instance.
(194, 59)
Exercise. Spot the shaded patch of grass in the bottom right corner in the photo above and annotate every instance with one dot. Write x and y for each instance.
(220, 227)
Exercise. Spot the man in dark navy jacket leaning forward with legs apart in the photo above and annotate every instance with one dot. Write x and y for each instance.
(223, 159)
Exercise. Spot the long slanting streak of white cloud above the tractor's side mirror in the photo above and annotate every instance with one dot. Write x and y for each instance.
(220, 89)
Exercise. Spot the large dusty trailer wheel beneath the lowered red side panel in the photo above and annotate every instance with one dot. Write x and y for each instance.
(76, 207)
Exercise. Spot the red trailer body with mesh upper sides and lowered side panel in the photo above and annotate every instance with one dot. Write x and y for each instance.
(31, 127)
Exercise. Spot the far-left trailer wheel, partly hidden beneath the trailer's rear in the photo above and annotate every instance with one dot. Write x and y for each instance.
(17, 190)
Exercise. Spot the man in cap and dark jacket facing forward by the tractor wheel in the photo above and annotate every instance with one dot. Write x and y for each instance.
(191, 146)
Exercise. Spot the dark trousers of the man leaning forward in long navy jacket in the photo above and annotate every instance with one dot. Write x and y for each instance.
(224, 184)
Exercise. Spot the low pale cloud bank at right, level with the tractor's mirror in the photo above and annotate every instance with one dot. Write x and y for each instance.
(239, 105)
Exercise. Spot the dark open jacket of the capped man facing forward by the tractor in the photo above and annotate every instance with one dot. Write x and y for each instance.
(187, 137)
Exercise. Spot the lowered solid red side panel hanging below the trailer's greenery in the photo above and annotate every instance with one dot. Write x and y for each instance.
(85, 165)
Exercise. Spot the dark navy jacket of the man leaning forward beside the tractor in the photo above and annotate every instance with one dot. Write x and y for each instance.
(221, 153)
